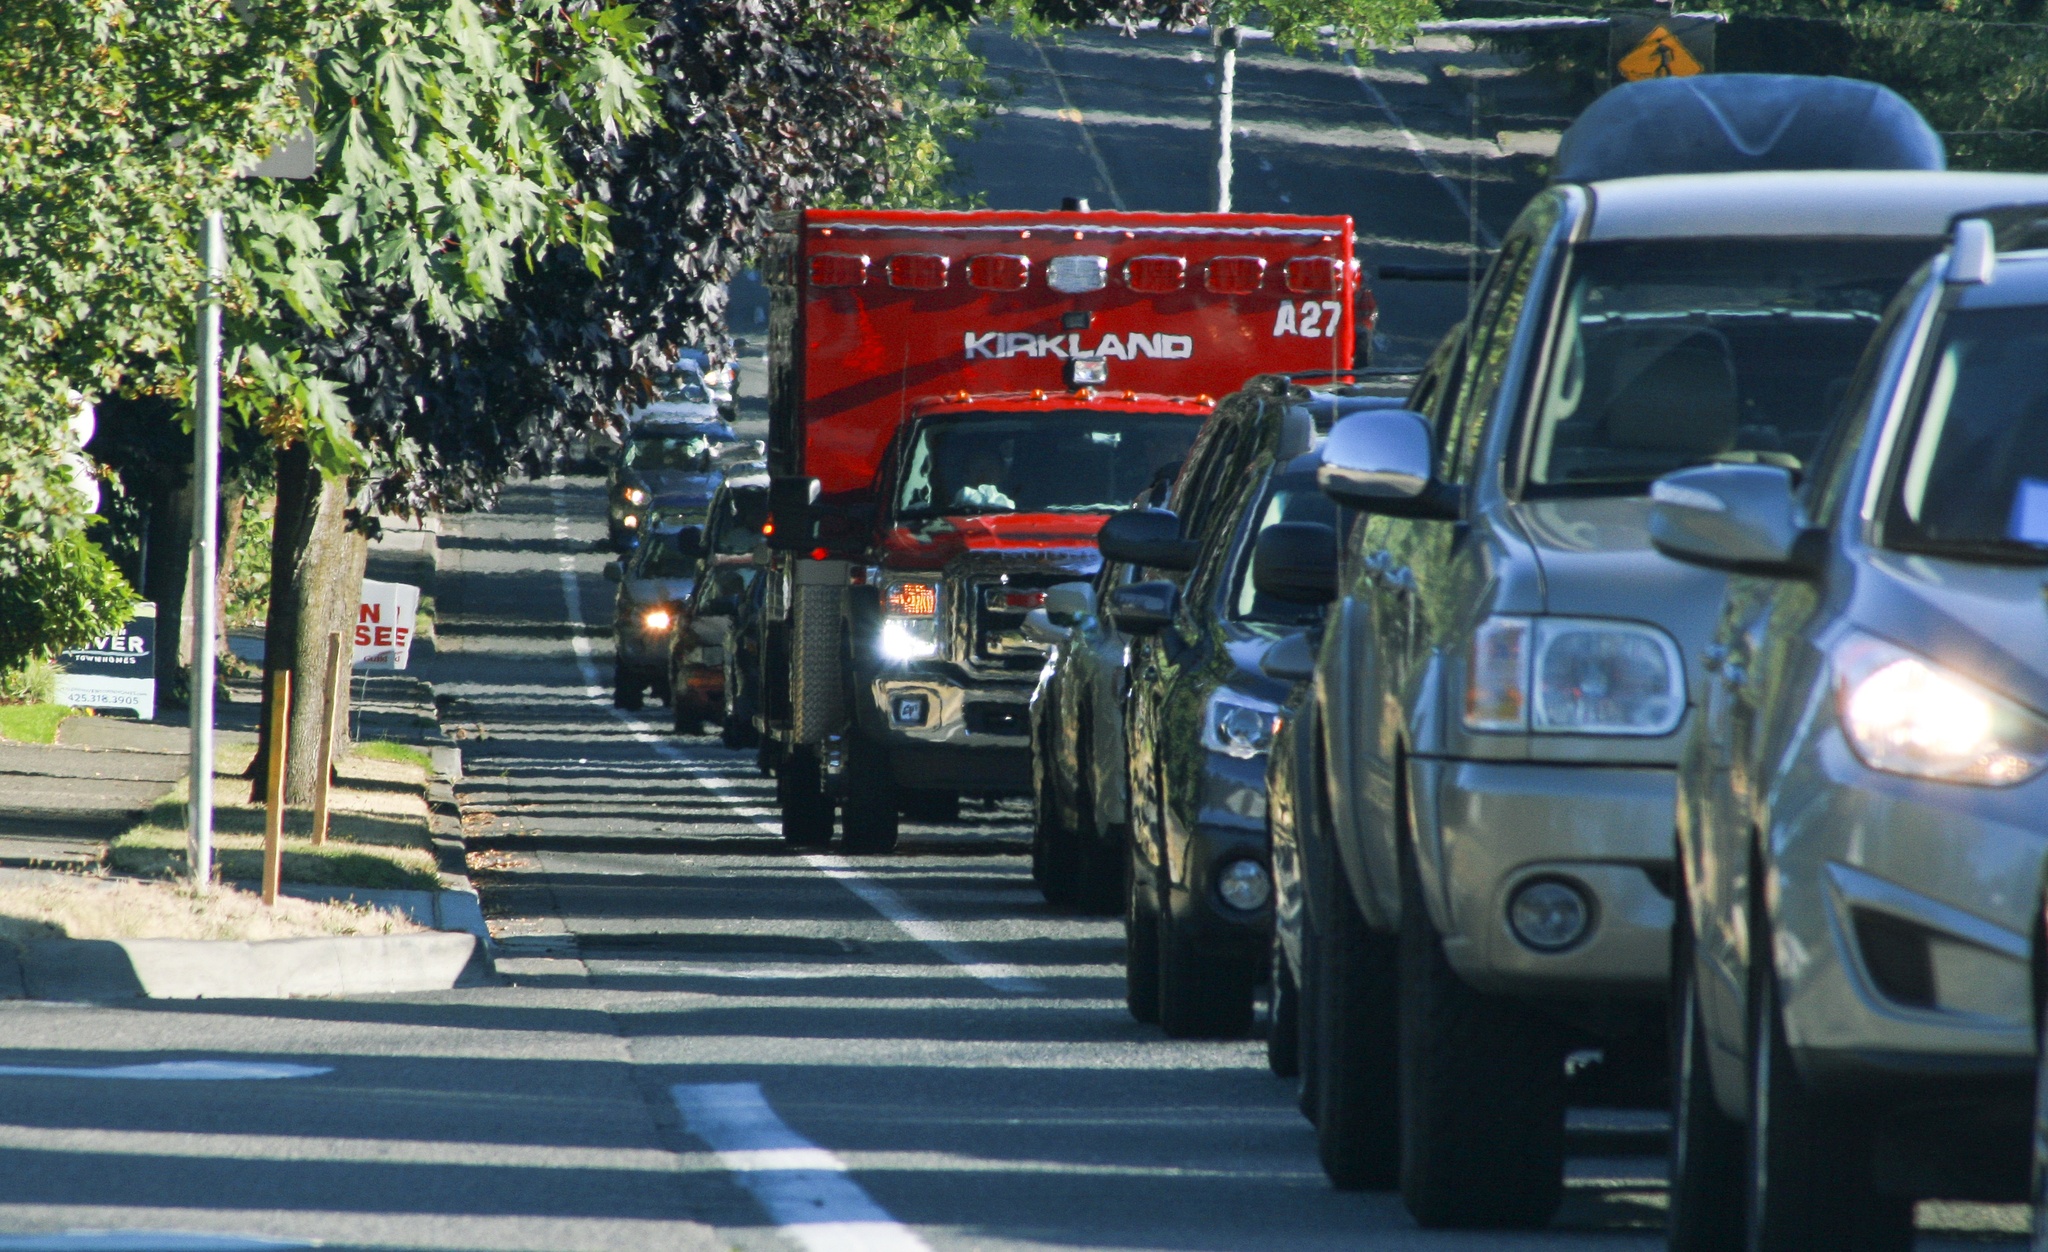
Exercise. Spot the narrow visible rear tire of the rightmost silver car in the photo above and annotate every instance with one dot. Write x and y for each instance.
(1707, 1149)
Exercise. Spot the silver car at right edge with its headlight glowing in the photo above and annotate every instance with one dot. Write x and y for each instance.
(1863, 810)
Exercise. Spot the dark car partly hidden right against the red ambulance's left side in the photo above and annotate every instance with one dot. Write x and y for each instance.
(706, 620)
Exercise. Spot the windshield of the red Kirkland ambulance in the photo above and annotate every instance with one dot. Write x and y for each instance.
(1052, 462)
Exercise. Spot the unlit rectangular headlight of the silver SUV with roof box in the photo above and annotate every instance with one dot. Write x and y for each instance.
(1574, 677)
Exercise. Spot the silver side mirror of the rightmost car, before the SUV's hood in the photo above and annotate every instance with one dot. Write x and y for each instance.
(1742, 519)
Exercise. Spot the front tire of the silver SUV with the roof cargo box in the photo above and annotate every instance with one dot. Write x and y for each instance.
(1482, 1093)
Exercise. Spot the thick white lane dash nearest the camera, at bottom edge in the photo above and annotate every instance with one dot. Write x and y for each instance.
(804, 1187)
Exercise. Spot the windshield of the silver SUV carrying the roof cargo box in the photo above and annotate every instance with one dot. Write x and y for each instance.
(1680, 351)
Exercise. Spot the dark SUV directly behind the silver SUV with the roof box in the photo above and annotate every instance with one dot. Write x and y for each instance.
(1199, 714)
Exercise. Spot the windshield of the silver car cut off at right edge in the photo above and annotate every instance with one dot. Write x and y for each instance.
(1973, 478)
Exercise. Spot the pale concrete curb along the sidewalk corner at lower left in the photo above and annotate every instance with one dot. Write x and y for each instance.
(241, 970)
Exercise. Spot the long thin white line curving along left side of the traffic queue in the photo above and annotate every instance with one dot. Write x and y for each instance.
(892, 907)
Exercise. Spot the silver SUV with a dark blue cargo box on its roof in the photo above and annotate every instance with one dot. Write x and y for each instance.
(1510, 669)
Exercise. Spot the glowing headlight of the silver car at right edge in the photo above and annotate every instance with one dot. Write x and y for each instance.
(1910, 716)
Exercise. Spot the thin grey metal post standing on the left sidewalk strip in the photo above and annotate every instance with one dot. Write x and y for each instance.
(206, 560)
